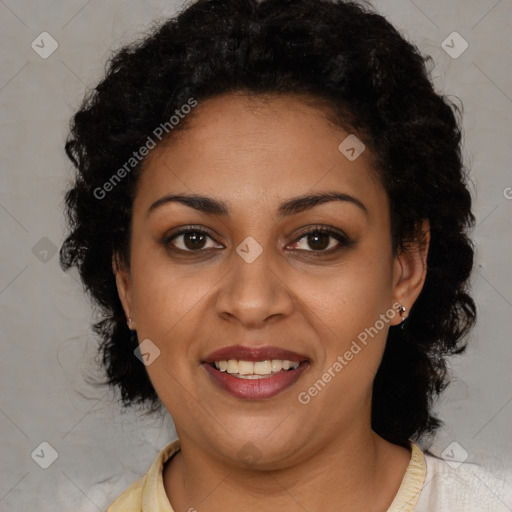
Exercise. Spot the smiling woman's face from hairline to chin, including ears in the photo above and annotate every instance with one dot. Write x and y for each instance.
(257, 279)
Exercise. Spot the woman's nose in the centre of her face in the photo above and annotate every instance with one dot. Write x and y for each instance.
(254, 293)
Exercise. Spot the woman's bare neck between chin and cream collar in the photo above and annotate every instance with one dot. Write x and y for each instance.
(353, 472)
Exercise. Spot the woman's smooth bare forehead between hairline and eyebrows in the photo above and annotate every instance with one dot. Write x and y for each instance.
(251, 148)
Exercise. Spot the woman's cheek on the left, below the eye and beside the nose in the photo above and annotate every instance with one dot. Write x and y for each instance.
(168, 302)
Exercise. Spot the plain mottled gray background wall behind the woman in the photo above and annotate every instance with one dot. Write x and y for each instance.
(47, 348)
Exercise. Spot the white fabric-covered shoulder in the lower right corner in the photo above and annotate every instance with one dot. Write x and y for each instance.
(463, 486)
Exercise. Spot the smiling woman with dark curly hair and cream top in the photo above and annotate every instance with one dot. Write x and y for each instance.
(271, 209)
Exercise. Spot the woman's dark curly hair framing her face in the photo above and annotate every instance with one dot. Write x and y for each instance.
(374, 83)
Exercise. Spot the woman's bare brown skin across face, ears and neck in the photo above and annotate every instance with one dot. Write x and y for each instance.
(253, 154)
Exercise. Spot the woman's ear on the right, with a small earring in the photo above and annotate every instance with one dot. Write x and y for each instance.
(410, 271)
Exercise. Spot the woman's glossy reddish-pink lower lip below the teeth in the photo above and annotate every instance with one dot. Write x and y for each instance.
(254, 389)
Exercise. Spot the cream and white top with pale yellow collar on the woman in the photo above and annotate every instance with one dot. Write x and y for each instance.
(429, 484)
